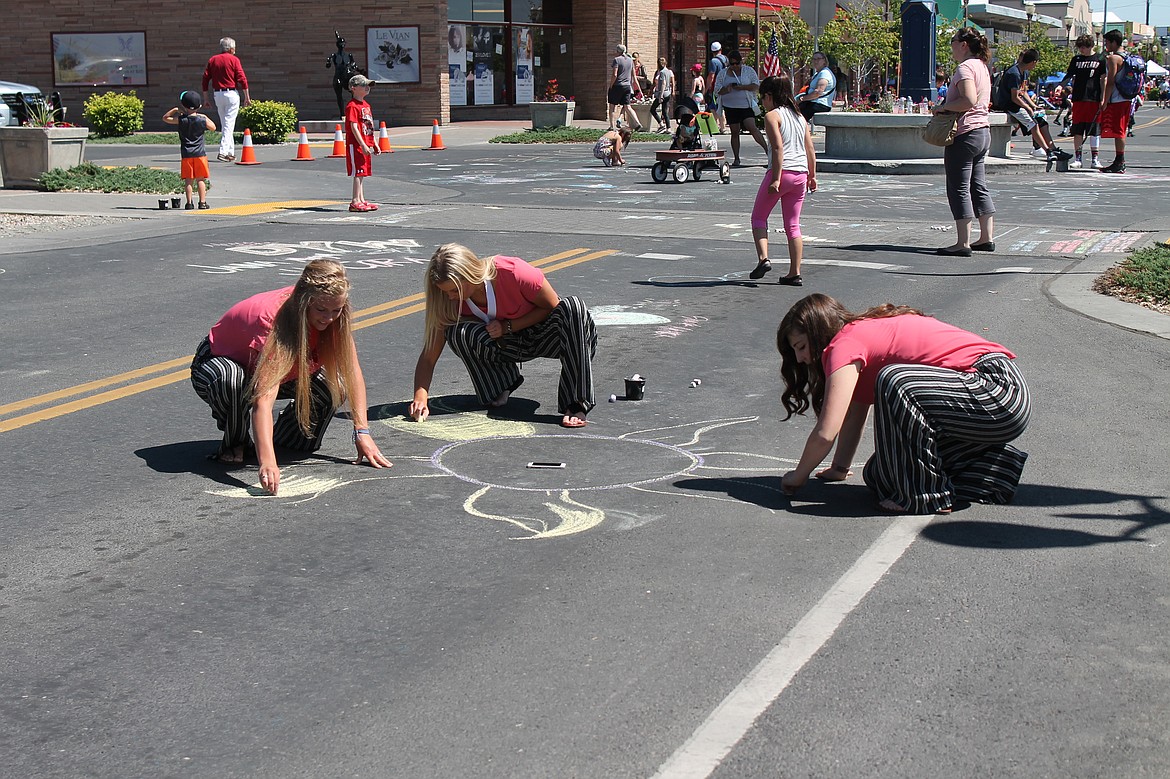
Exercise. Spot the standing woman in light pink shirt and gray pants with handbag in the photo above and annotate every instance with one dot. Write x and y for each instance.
(967, 182)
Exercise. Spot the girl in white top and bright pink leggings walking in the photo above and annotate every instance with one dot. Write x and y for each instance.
(792, 173)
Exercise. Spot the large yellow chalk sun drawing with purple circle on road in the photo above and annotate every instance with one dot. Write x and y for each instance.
(488, 453)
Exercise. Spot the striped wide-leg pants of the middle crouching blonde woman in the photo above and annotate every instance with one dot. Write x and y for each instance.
(568, 335)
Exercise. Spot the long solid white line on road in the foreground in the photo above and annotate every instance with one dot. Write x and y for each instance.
(732, 720)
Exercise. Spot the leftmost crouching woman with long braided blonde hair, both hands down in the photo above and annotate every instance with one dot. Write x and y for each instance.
(292, 343)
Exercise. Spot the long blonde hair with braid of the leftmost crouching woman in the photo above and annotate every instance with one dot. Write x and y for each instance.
(287, 347)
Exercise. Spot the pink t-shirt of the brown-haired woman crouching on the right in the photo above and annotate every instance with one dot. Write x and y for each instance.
(906, 340)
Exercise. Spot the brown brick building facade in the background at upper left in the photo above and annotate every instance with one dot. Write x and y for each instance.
(285, 45)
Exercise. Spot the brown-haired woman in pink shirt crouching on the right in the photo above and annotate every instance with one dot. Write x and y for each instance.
(946, 404)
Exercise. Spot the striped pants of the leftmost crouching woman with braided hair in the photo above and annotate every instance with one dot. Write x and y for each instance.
(223, 384)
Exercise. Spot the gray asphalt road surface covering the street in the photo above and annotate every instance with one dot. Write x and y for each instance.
(658, 608)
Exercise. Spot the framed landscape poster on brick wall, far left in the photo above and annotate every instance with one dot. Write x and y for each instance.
(94, 59)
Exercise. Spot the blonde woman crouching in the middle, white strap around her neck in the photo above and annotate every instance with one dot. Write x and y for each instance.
(498, 313)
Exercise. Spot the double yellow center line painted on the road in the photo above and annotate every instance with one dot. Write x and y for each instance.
(411, 304)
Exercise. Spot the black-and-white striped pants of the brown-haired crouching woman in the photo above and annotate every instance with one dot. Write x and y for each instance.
(942, 436)
